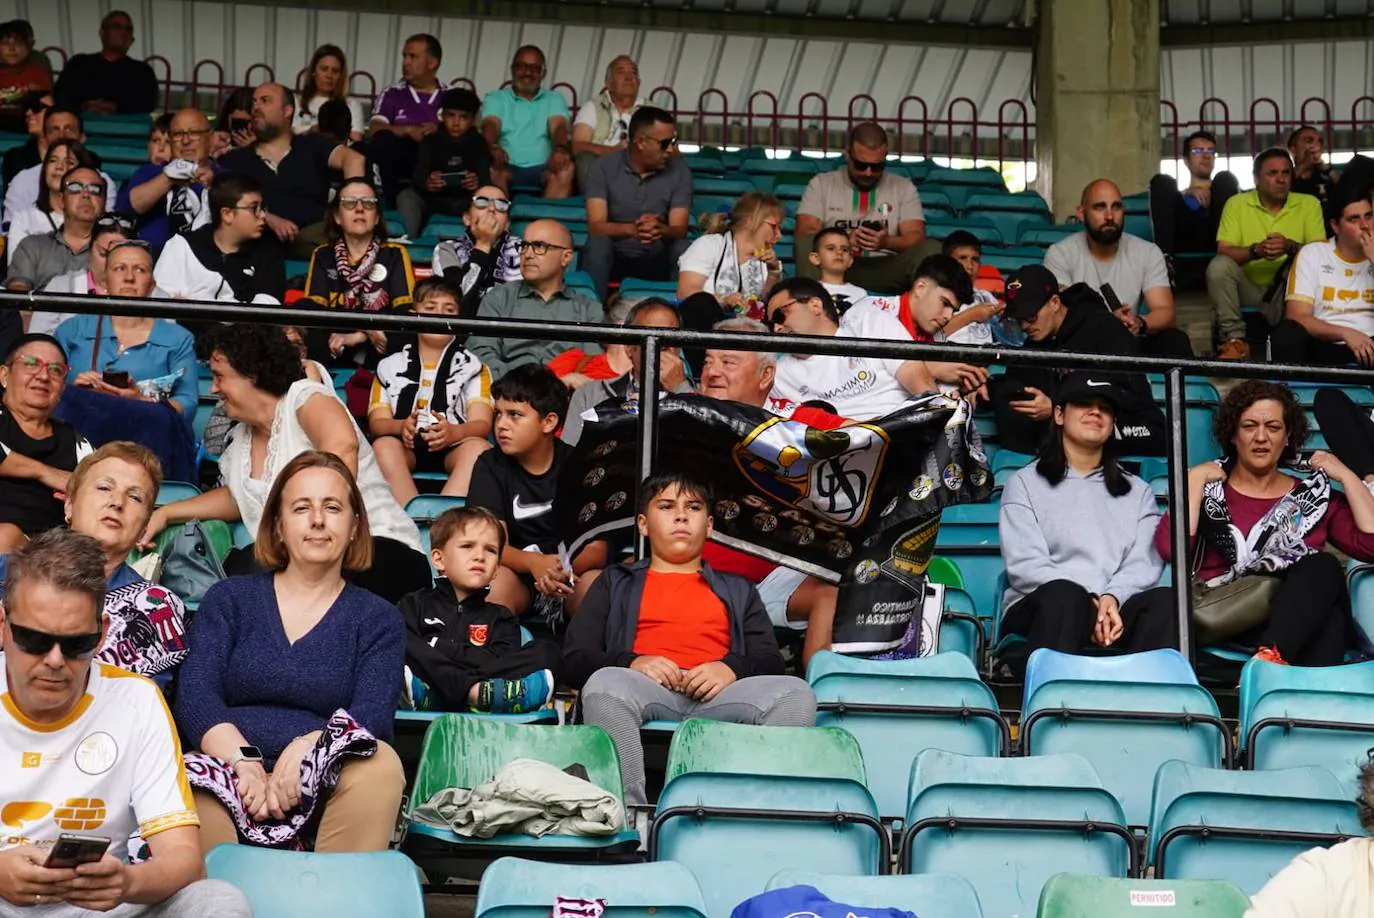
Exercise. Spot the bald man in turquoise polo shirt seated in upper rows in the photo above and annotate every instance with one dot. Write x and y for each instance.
(527, 128)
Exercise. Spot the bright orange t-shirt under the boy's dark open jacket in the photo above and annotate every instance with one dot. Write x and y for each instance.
(682, 619)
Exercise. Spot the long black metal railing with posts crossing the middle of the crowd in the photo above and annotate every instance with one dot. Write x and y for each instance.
(652, 340)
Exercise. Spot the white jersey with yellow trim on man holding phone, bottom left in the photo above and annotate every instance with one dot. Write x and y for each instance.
(111, 768)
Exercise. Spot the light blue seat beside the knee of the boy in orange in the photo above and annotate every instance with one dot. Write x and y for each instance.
(899, 708)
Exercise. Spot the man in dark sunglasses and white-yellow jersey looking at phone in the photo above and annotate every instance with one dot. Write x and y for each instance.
(53, 626)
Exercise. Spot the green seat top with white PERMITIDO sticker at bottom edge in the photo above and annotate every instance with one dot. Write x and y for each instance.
(1079, 897)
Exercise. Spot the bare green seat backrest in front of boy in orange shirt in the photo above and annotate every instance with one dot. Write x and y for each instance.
(715, 747)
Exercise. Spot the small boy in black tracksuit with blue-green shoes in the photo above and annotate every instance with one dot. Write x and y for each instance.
(462, 652)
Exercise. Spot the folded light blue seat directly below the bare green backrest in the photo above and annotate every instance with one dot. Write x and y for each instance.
(721, 827)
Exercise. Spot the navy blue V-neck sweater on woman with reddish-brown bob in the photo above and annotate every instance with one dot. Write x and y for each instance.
(243, 671)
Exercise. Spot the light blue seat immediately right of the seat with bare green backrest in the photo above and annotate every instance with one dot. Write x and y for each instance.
(1008, 825)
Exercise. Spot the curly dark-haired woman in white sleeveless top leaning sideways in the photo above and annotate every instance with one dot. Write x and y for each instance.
(260, 381)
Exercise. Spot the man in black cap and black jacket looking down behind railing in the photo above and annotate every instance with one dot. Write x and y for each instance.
(1079, 321)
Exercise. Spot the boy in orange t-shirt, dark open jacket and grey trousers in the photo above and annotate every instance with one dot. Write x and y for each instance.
(668, 638)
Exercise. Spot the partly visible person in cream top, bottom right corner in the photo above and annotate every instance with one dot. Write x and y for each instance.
(1327, 883)
